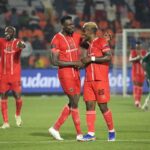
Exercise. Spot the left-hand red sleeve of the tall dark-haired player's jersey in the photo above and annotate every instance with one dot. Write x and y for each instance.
(54, 45)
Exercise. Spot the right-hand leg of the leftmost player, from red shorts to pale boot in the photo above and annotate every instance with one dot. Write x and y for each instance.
(16, 90)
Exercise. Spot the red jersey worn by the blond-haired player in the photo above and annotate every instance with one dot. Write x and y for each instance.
(96, 71)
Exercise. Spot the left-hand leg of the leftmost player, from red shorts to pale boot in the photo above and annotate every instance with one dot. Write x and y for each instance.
(4, 104)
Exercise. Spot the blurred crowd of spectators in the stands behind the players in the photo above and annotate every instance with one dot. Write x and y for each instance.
(37, 24)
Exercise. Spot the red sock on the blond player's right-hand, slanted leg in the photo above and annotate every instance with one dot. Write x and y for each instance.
(109, 120)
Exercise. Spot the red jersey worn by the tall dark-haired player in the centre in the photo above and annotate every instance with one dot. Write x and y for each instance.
(68, 48)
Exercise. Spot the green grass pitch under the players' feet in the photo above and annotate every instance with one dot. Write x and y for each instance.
(40, 112)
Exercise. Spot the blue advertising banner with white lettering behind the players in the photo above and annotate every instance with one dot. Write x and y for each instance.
(46, 81)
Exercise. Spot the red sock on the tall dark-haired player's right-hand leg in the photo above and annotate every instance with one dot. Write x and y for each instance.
(76, 119)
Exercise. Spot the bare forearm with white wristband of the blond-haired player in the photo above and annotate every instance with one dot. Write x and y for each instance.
(107, 56)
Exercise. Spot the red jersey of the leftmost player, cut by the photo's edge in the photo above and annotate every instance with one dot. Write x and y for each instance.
(10, 60)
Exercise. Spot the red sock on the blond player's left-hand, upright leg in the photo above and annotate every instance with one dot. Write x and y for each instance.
(90, 120)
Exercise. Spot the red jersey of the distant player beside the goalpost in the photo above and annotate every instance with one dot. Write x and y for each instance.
(137, 69)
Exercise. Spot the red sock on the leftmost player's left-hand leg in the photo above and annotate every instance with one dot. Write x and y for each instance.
(4, 109)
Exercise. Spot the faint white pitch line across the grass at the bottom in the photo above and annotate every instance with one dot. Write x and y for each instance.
(70, 141)
